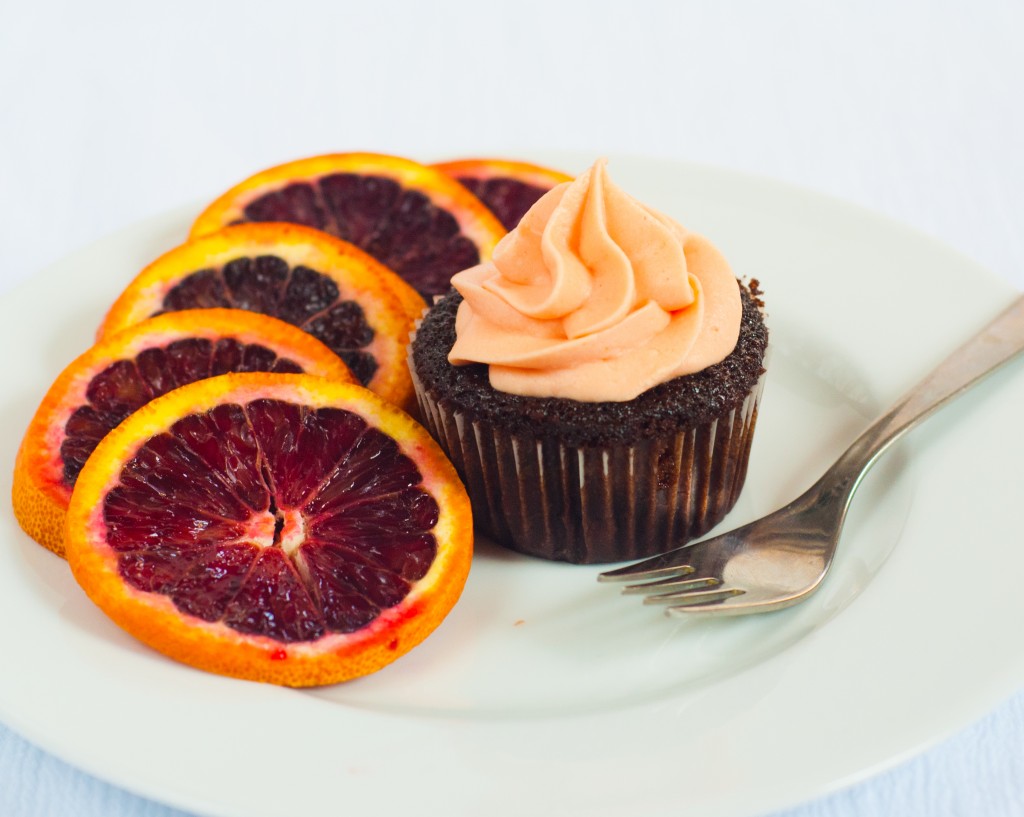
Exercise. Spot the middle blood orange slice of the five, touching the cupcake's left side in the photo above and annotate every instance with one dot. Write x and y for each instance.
(359, 309)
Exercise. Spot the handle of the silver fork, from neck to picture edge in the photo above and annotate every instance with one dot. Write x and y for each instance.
(996, 345)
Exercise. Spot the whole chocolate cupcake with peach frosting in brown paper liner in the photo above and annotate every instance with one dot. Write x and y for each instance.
(596, 383)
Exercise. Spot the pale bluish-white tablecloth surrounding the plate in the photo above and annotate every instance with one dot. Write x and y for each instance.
(114, 112)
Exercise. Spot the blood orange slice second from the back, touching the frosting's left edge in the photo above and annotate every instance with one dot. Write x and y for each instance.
(411, 218)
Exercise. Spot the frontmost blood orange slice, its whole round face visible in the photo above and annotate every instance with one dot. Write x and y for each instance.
(275, 528)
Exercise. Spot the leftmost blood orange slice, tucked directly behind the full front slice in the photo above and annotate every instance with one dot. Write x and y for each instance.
(119, 375)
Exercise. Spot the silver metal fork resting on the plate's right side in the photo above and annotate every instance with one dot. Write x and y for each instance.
(783, 558)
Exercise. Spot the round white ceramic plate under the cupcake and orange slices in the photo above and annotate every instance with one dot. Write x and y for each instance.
(545, 693)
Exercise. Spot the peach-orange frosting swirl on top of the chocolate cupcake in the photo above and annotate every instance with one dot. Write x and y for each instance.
(596, 297)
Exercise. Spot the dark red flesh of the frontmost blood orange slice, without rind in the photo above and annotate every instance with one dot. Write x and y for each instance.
(274, 519)
